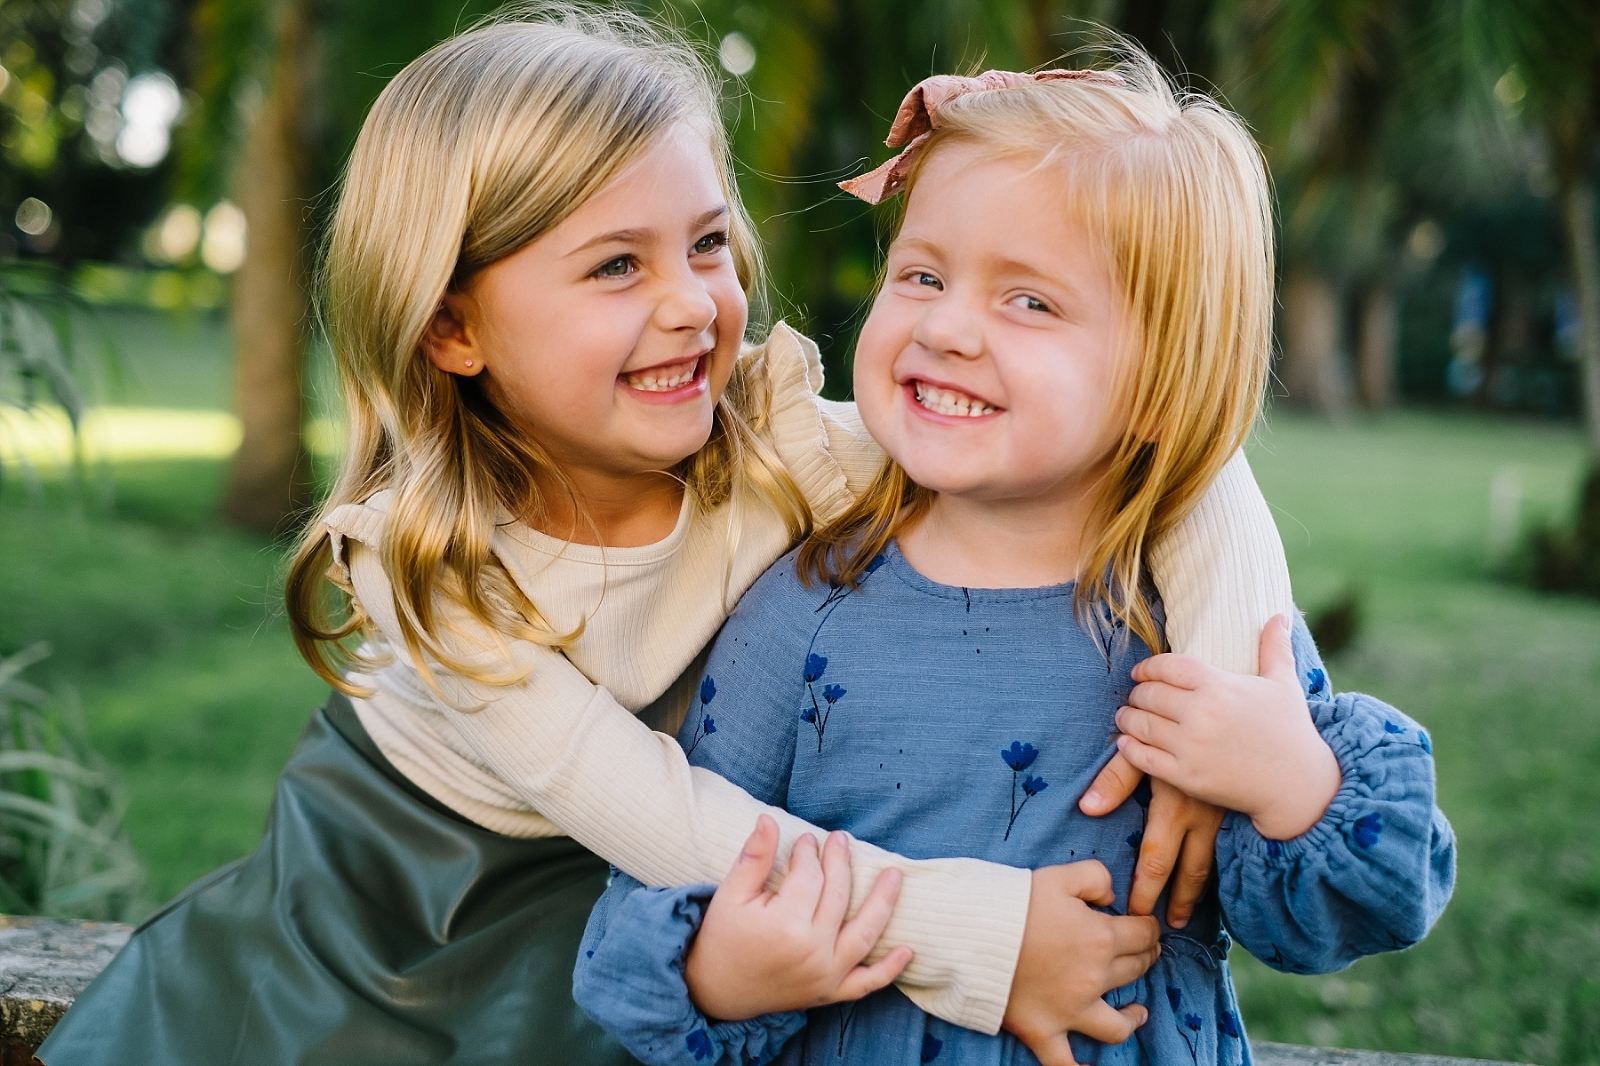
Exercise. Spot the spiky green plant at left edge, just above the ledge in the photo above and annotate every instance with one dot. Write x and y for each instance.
(63, 851)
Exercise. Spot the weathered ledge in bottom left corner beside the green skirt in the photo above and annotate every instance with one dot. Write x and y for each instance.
(44, 966)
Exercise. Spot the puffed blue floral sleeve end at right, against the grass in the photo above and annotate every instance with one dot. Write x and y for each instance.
(1374, 875)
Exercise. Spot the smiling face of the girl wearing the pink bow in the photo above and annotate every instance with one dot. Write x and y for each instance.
(990, 361)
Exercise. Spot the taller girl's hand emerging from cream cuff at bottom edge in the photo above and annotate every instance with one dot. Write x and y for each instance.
(1071, 958)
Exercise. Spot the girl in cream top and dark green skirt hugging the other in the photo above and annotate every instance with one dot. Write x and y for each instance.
(564, 470)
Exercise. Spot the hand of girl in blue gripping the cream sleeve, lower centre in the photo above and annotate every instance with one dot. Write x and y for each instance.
(761, 952)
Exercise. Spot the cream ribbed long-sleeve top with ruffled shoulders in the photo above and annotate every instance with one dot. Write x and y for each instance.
(572, 748)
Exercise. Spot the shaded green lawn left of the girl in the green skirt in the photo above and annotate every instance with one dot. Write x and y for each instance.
(169, 628)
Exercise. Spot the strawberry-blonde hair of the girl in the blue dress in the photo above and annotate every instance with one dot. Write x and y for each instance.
(1177, 190)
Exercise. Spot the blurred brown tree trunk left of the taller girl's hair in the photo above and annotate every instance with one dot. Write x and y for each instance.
(271, 473)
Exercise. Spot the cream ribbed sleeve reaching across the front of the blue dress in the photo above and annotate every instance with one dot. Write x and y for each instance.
(578, 758)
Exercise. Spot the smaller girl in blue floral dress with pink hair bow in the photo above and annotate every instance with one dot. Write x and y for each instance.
(1073, 327)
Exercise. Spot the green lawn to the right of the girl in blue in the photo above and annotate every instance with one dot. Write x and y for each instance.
(1506, 683)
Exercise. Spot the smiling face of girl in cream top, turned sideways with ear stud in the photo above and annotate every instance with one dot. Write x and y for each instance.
(612, 337)
